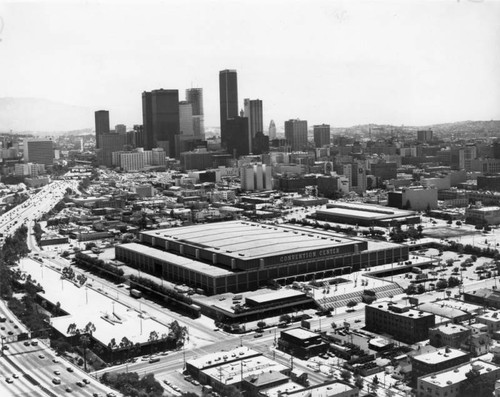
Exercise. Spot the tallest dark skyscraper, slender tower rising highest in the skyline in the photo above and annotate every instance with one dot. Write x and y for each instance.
(228, 95)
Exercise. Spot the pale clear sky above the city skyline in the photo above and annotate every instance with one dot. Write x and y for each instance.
(337, 62)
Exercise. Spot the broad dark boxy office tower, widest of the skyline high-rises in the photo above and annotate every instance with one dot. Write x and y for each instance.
(160, 114)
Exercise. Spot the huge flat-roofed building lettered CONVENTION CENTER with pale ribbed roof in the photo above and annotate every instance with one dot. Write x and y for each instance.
(239, 256)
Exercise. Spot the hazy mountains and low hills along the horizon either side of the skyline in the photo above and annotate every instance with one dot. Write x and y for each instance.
(37, 115)
